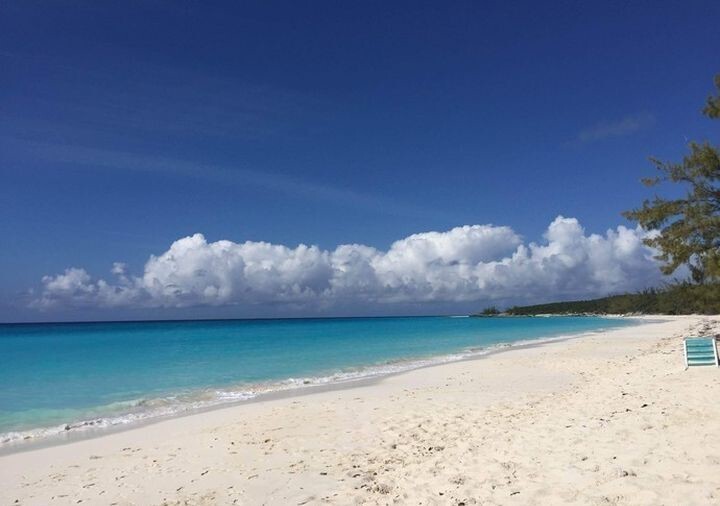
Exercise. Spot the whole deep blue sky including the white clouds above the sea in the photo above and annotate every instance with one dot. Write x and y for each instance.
(280, 159)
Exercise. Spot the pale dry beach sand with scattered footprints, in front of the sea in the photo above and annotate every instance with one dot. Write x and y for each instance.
(611, 418)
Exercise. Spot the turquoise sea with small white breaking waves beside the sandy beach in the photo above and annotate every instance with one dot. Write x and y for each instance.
(59, 377)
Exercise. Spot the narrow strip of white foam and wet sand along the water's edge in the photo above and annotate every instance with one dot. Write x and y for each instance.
(42, 437)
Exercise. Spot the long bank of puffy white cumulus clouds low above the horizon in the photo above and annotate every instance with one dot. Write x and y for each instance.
(469, 263)
